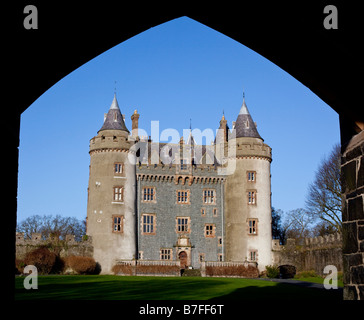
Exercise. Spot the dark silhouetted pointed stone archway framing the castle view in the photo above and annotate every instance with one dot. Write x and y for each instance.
(328, 62)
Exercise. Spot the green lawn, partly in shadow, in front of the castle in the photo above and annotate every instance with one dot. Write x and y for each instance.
(108, 287)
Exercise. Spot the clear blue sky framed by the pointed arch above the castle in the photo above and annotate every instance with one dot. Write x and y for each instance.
(171, 73)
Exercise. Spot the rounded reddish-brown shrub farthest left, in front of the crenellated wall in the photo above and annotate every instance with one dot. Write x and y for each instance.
(43, 259)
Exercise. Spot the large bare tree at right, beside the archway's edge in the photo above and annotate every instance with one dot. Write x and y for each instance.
(324, 194)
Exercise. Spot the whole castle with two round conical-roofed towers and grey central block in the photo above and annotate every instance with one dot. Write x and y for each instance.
(179, 202)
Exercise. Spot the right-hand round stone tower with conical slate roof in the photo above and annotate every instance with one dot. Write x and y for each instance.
(248, 195)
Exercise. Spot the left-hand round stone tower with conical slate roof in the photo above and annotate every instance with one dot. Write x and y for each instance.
(111, 219)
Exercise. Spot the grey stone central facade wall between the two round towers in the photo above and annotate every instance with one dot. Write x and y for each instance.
(166, 210)
